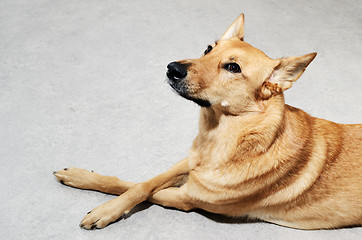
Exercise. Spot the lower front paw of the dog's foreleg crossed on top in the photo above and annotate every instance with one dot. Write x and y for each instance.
(102, 215)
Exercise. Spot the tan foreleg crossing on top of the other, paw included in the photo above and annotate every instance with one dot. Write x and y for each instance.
(115, 208)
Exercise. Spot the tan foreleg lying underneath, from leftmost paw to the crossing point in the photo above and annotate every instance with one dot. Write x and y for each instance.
(84, 179)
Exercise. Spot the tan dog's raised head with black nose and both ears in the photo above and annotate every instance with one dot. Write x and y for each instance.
(233, 76)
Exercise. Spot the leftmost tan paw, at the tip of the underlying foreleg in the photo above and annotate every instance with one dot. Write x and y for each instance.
(76, 177)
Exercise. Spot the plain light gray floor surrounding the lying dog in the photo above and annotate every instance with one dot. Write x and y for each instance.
(82, 83)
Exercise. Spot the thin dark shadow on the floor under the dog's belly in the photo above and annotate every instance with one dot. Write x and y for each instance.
(212, 216)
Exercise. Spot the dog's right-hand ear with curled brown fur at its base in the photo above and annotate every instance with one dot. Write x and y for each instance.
(285, 72)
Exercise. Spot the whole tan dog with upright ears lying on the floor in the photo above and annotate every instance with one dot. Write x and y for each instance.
(254, 155)
